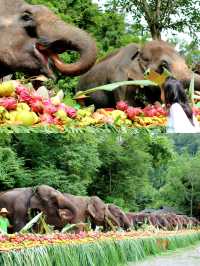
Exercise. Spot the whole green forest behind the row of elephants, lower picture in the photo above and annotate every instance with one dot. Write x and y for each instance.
(135, 171)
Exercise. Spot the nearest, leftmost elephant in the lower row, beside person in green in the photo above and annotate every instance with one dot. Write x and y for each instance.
(58, 210)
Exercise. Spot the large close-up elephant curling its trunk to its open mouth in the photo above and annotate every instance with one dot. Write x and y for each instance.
(32, 37)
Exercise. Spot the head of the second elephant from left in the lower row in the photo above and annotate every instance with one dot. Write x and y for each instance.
(99, 212)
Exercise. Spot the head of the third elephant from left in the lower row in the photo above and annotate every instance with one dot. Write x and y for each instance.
(120, 216)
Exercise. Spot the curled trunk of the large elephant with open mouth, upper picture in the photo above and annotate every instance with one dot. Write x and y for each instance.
(62, 37)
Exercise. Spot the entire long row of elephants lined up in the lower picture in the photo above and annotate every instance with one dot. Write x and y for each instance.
(61, 209)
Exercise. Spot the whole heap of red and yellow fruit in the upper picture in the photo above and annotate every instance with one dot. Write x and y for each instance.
(20, 105)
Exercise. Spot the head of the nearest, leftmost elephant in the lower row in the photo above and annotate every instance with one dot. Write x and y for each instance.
(58, 209)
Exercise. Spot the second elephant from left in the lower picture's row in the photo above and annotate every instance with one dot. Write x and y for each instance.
(92, 208)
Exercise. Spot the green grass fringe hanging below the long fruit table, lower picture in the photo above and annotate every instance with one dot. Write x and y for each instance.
(101, 253)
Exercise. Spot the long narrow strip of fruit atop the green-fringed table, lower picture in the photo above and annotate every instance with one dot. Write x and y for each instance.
(23, 241)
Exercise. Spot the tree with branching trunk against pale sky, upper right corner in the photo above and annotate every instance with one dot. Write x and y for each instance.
(161, 15)
